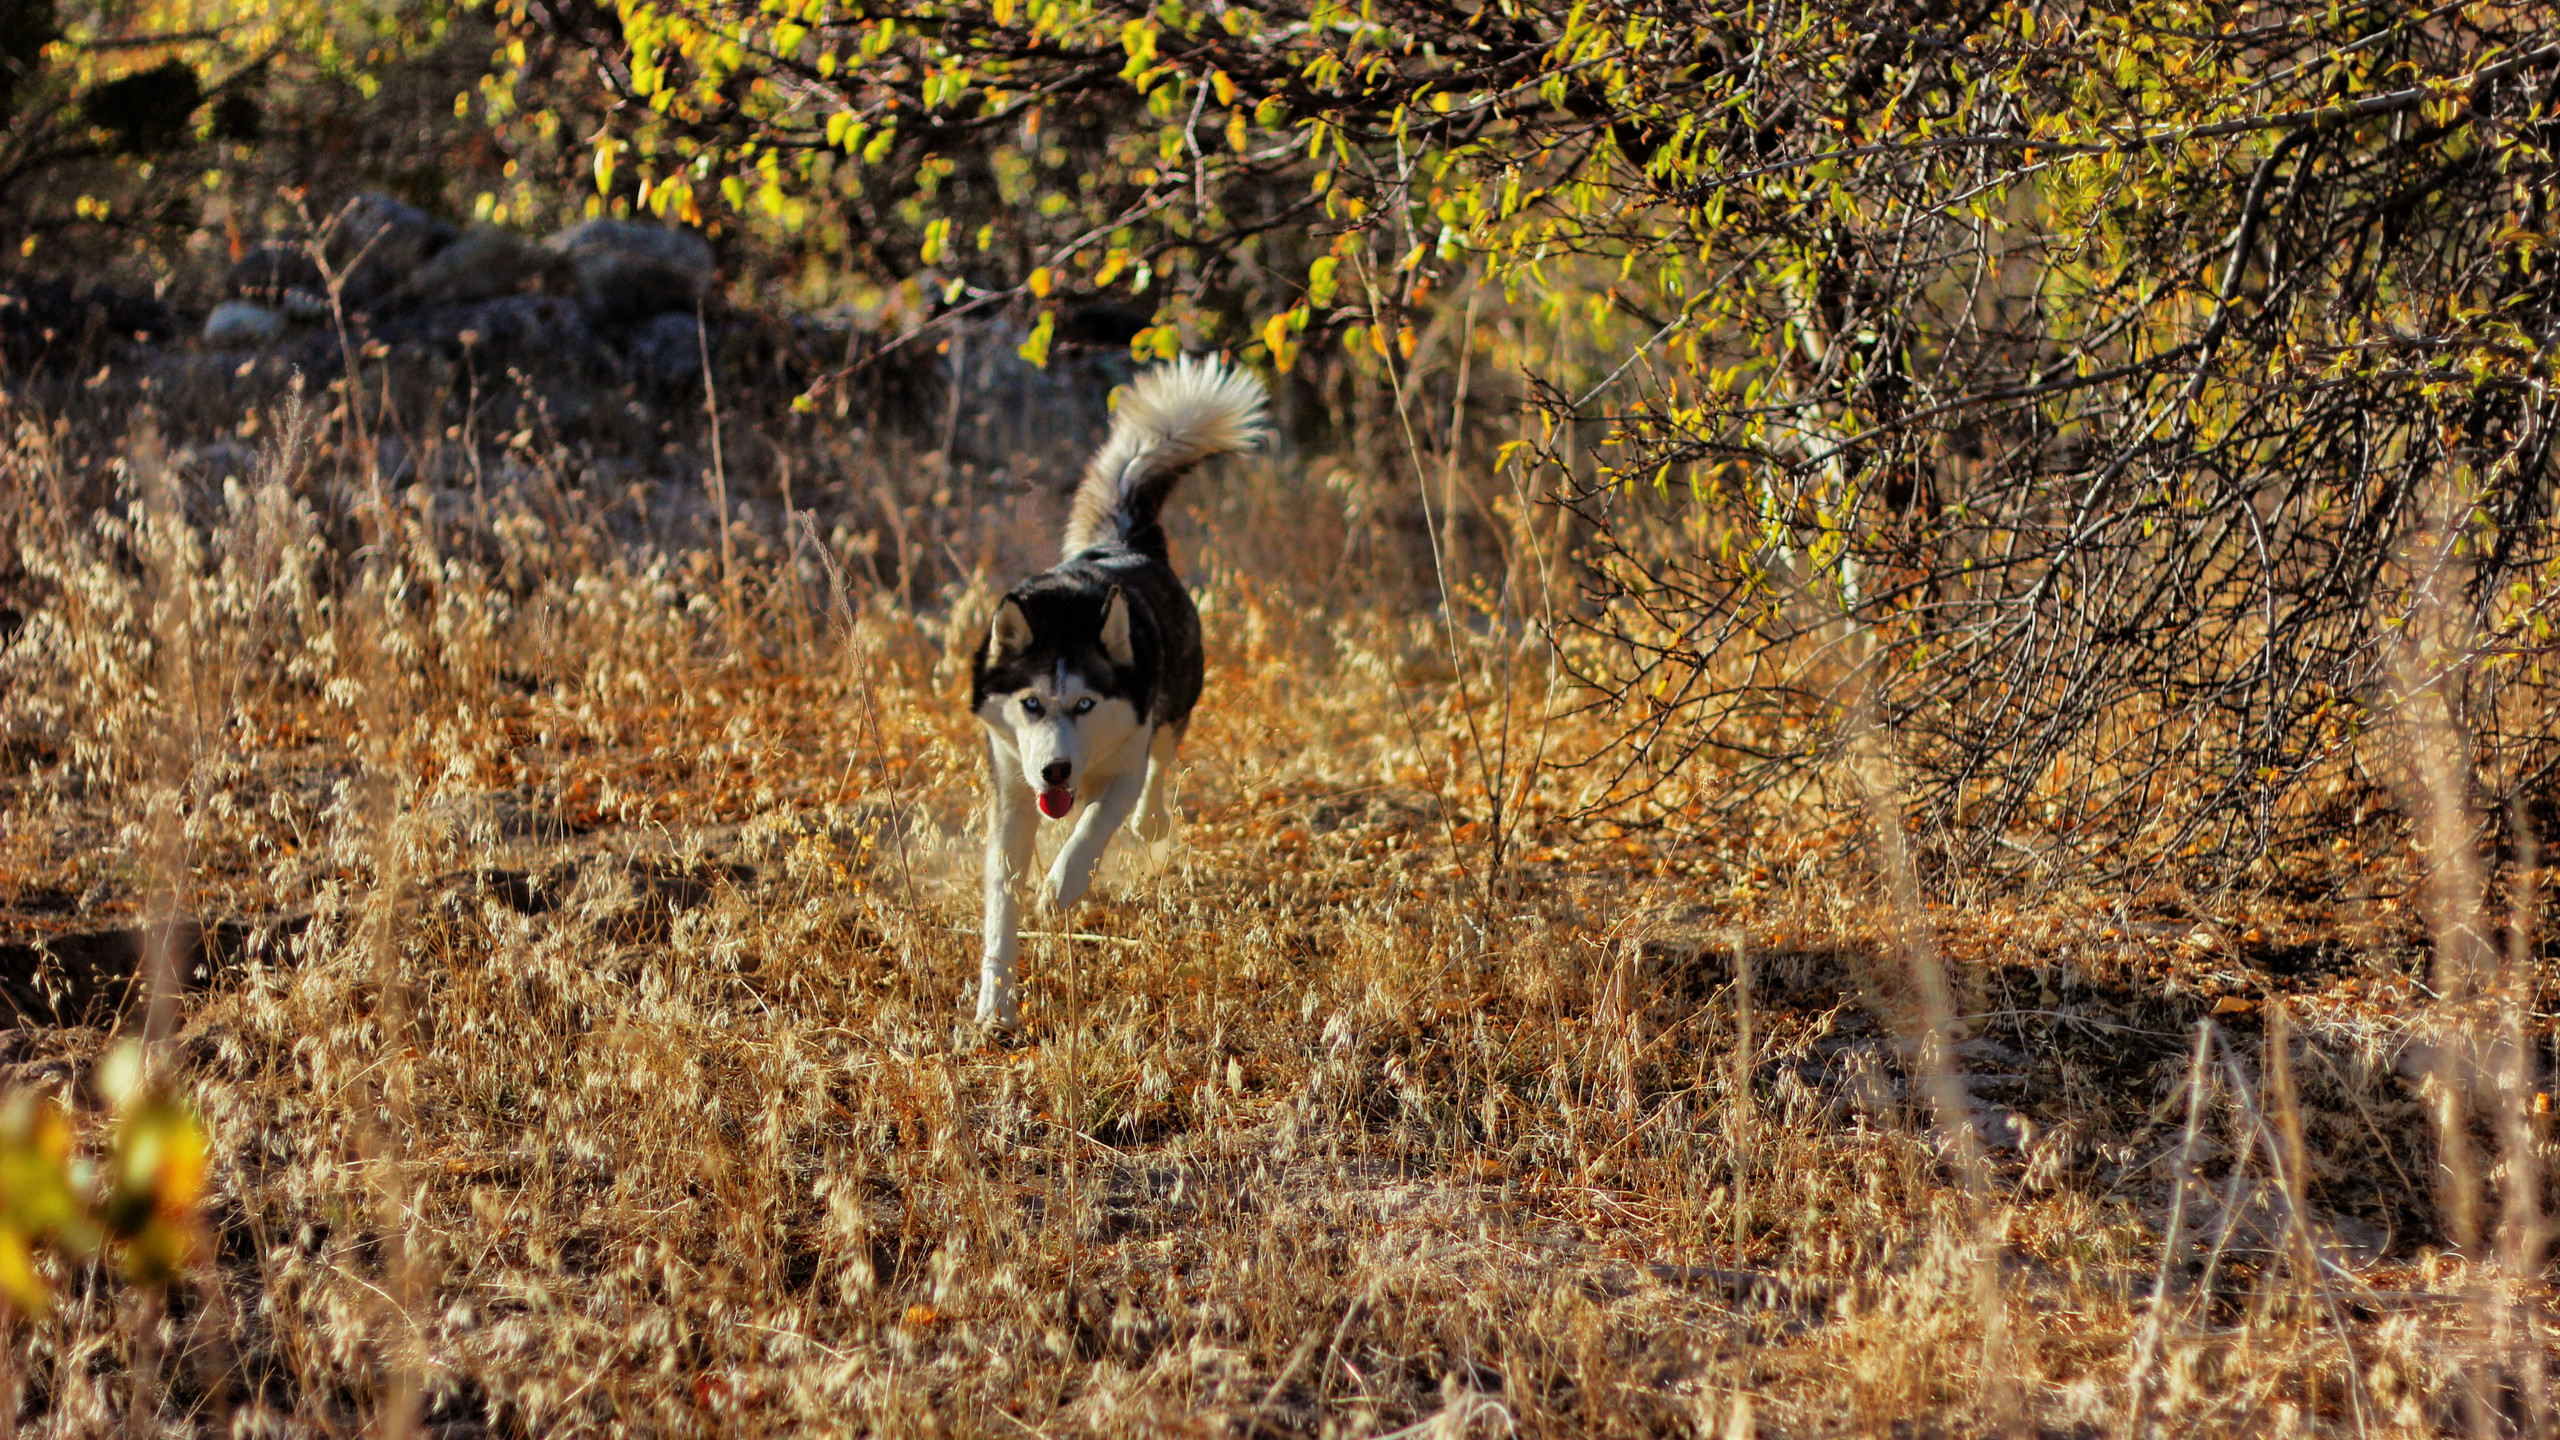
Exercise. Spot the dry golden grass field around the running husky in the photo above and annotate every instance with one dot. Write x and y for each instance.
(595, 1062)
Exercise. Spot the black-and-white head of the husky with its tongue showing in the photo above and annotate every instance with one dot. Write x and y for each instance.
(1053, 691)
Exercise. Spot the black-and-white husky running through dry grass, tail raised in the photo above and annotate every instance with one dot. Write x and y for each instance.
(1092, 667)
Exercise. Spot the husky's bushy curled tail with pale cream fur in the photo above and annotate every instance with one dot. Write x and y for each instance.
(1171, 419)
